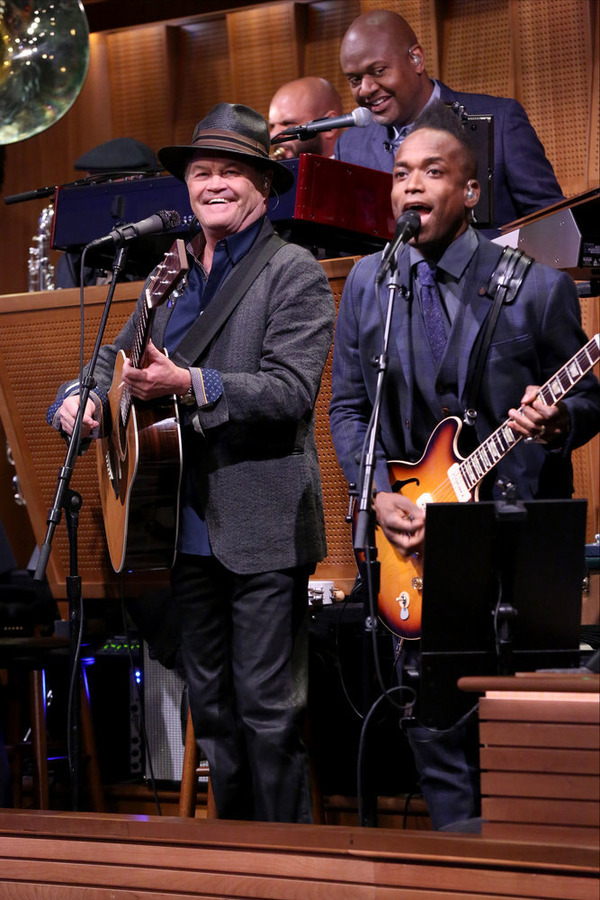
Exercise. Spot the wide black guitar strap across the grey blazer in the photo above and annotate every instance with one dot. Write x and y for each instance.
(216, 314)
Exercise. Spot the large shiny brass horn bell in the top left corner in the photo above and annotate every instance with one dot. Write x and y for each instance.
(44, 57)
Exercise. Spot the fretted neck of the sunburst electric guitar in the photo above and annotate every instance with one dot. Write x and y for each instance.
(477, 465)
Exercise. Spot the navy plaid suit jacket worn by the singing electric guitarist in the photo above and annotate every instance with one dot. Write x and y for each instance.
(534, 337)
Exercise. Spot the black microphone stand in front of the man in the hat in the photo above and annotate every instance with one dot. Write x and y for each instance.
(71, 502)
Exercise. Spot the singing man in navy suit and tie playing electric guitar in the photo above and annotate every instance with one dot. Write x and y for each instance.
(429, 376)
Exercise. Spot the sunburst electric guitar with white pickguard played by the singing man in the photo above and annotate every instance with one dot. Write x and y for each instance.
(443, 476)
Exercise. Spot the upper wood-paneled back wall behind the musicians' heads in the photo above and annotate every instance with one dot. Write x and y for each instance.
(155, 82)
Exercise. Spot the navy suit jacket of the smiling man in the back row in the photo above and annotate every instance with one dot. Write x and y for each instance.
(524, 180)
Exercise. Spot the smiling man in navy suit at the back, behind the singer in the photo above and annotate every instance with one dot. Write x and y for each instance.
(385, 67)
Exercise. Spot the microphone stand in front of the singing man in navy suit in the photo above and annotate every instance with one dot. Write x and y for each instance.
(364, 534)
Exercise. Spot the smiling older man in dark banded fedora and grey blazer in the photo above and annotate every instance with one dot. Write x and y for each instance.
(247, 339)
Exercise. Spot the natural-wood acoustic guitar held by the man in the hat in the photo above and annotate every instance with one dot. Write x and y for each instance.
(139, 462)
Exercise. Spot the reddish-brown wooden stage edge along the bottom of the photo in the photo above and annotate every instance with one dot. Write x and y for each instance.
(89, 856)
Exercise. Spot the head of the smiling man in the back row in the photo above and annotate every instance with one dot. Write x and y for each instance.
(384, 64)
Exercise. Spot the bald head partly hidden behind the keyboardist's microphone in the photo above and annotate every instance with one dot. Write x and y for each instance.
(301, 101)
